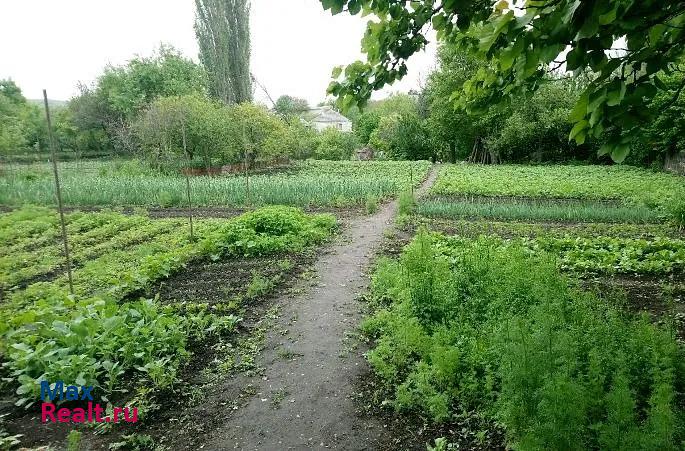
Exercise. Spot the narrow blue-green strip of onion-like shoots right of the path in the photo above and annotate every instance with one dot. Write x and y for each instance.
(537, 210)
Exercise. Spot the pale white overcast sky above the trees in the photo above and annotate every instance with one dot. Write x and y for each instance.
(295, 43)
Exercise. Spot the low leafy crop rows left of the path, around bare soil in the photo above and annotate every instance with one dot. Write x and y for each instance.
(112, 333)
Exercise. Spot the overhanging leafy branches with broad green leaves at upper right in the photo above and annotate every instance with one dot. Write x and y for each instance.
(626, 46)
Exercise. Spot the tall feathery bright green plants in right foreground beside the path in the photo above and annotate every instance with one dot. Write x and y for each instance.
(484, 326)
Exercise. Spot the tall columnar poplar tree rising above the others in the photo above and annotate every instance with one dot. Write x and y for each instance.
(222, 28)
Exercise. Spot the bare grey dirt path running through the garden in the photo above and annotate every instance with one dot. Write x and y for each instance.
(306, 398)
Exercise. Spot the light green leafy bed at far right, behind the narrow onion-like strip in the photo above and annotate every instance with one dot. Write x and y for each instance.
(627, 184)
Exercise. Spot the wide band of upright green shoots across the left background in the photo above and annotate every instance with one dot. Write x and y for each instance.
(311, 183)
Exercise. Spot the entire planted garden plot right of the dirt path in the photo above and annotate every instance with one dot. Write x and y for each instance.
(490, 324)
